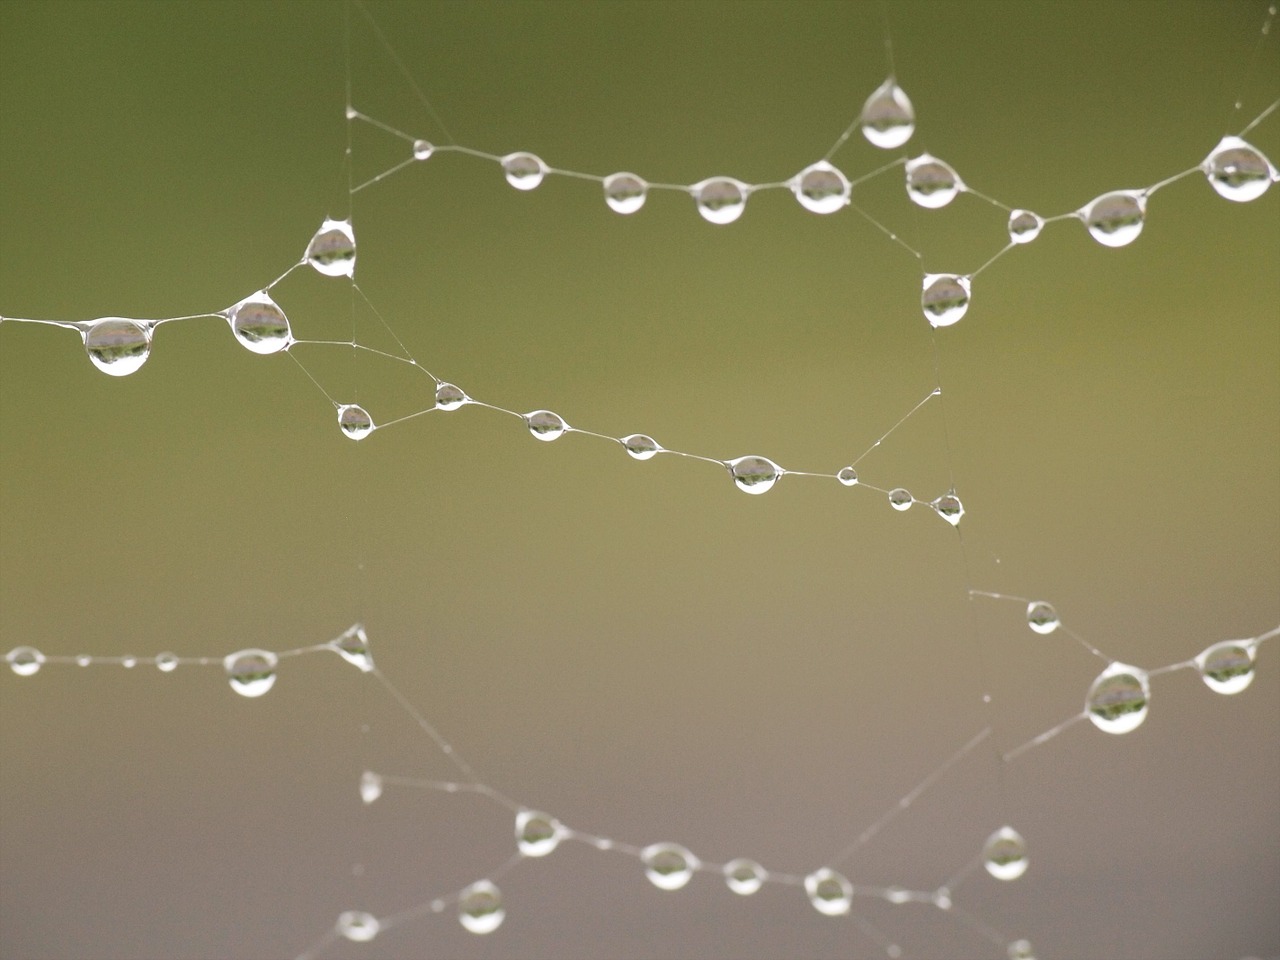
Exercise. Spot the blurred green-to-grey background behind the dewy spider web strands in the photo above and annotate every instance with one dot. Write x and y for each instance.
(637, 648)
